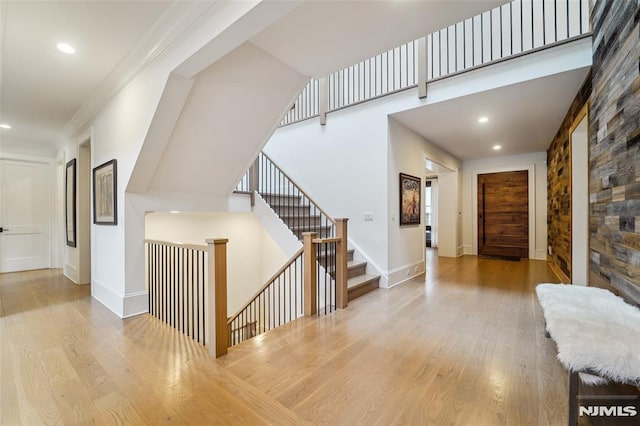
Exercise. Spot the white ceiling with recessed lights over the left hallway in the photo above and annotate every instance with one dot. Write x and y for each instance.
(41, 87)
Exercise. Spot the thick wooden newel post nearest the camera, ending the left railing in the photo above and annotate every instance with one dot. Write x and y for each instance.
(216, 323)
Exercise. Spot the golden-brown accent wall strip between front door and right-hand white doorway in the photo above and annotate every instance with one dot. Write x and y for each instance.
(559, 187)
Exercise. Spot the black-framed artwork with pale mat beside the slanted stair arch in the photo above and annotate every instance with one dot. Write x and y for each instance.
(105, 203)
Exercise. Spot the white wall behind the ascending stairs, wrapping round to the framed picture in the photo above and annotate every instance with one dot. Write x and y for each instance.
(350, 167)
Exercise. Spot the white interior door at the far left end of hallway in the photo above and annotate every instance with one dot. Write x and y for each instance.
(25, 211)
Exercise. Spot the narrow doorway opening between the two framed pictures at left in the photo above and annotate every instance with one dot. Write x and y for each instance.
(84, 212)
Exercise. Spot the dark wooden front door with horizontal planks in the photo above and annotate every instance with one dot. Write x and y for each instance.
(503, 214)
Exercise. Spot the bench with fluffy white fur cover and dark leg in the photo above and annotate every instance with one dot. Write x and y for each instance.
(597, 334)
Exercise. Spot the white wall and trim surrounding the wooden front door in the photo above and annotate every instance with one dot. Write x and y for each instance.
(536, 163)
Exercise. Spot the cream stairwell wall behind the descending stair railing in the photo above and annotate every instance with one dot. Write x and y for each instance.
(252, 255)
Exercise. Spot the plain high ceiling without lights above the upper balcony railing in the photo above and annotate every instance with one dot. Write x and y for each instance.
(323, 36)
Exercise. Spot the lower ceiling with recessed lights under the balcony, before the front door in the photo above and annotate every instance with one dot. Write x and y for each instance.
(523, 117)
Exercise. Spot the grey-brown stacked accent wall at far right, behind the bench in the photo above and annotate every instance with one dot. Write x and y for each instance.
(614, 148)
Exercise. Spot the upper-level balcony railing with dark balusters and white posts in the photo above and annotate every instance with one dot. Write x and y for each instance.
(506, 31)
